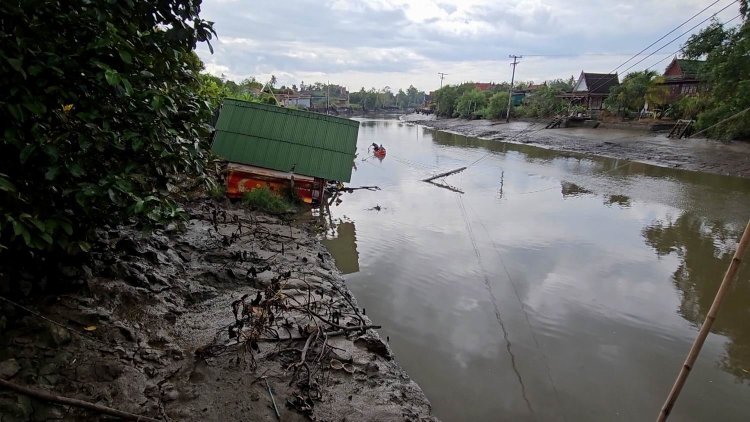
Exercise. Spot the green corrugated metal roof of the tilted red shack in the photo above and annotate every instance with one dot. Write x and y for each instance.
(278, 138)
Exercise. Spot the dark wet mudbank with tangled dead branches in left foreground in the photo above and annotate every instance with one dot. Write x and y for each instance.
(197, 323)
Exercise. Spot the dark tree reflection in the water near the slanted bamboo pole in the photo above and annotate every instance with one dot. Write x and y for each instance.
(705, 250)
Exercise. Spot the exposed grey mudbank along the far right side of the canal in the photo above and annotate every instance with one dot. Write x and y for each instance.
(726, 158)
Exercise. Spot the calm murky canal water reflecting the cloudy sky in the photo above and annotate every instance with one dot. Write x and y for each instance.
(544, 286)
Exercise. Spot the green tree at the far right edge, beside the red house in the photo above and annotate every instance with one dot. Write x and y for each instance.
(727, 73)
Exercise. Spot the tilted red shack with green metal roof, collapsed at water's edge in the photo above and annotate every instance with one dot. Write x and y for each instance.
(283, 148)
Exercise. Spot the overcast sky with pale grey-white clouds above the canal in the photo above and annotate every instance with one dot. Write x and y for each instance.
(377, 43)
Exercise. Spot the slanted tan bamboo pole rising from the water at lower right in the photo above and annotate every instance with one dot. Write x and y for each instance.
(706, 327)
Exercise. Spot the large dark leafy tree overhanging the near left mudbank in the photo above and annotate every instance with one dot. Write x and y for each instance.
(101, 115)
